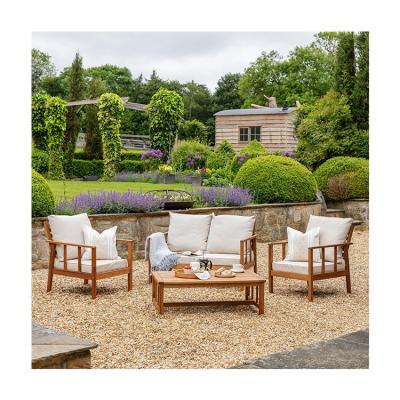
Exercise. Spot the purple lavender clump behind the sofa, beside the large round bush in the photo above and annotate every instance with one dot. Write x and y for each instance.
(225, 197)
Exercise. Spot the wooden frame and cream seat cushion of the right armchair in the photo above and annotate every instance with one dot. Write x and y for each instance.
(310, 270)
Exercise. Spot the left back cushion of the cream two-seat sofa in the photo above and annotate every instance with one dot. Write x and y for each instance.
(188, 232)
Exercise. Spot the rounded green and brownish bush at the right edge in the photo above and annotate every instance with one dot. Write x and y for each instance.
(342, 178)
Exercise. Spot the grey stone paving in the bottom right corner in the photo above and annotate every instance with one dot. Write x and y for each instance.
(344, 352)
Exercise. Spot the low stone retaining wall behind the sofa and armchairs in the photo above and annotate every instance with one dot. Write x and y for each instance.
(271, 223)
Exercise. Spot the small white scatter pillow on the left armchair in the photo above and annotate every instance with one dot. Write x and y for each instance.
(105, 242)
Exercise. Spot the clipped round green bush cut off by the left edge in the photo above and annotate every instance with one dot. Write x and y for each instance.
(42, 197)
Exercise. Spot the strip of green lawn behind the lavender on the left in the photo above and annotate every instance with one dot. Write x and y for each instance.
(72, 188)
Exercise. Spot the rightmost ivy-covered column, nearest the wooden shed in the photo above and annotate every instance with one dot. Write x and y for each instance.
(165, 112)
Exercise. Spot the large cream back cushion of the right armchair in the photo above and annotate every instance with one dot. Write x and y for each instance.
(331, 231)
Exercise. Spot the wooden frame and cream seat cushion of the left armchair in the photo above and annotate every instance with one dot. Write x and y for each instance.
(93, 269)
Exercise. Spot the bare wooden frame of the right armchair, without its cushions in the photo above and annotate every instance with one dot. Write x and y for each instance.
(310, 277)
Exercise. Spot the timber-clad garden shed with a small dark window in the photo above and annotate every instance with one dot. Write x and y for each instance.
(273, 127)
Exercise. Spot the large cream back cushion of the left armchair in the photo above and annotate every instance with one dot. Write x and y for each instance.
(67, 228)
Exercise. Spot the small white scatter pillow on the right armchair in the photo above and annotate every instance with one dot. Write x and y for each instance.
(298, 243)
